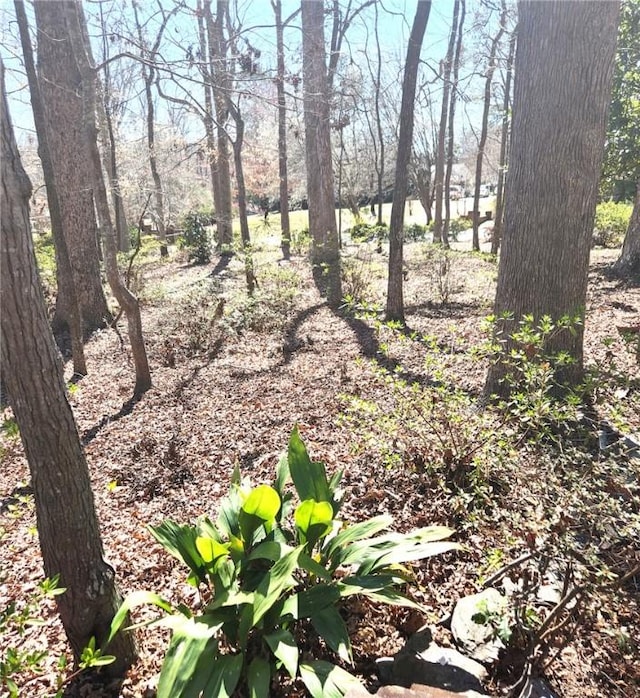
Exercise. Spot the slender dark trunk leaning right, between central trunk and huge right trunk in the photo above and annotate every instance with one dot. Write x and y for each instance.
(395, 301)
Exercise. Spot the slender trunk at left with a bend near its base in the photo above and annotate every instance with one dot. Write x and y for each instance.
(79, 42)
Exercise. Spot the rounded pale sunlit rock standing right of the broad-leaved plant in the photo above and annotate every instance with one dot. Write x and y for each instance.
(479, 639)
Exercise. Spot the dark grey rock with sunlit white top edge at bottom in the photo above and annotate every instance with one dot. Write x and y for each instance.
(439, 666)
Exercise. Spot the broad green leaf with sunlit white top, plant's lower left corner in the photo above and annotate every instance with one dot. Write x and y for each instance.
(188, 664)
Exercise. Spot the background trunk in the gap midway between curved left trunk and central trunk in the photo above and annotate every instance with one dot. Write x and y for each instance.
(218, 73)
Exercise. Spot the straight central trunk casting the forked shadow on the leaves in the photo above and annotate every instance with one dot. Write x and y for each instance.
(325, 252)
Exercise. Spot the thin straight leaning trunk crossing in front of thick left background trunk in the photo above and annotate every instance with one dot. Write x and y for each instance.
(65, 274)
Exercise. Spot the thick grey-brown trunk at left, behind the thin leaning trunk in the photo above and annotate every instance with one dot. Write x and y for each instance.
(59, 80)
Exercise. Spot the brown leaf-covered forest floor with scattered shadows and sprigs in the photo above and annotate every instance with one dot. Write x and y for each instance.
(230, 382)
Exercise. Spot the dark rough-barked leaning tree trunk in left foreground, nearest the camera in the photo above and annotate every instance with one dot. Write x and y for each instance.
(68, 527)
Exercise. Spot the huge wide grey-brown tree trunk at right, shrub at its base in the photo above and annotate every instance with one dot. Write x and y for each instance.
(550, 202)
